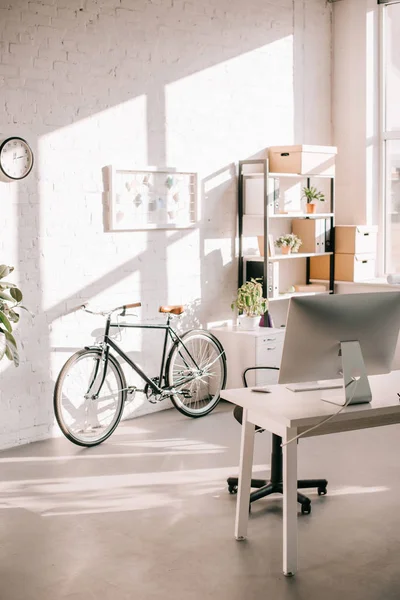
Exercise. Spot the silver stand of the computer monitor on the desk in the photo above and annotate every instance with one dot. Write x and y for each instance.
(354, 391)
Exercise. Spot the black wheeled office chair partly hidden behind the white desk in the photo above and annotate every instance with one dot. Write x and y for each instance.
(275, 484)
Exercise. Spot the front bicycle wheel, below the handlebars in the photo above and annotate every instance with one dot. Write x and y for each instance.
(83, 419)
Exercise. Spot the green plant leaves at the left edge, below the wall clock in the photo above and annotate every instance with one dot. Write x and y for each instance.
(10, 299)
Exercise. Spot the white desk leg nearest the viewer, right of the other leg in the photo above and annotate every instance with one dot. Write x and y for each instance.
(290, 504)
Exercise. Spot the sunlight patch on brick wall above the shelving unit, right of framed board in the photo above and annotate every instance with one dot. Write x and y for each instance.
(222, 113)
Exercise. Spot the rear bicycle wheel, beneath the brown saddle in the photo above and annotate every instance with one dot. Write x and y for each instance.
(196, 369)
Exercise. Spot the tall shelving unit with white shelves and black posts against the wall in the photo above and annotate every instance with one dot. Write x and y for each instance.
(253, 194)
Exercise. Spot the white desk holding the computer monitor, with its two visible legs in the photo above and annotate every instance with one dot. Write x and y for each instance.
(289, 413)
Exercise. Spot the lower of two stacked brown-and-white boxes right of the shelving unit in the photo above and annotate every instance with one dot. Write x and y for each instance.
(348, 267)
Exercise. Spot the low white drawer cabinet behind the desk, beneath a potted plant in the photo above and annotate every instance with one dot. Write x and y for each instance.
(259, 348)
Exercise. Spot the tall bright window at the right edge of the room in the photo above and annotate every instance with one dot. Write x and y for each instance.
(391, 134)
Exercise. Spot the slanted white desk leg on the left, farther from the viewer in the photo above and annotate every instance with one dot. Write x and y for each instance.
(245, 468)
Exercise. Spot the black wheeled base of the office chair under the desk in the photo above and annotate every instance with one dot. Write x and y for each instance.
(266, 488)
